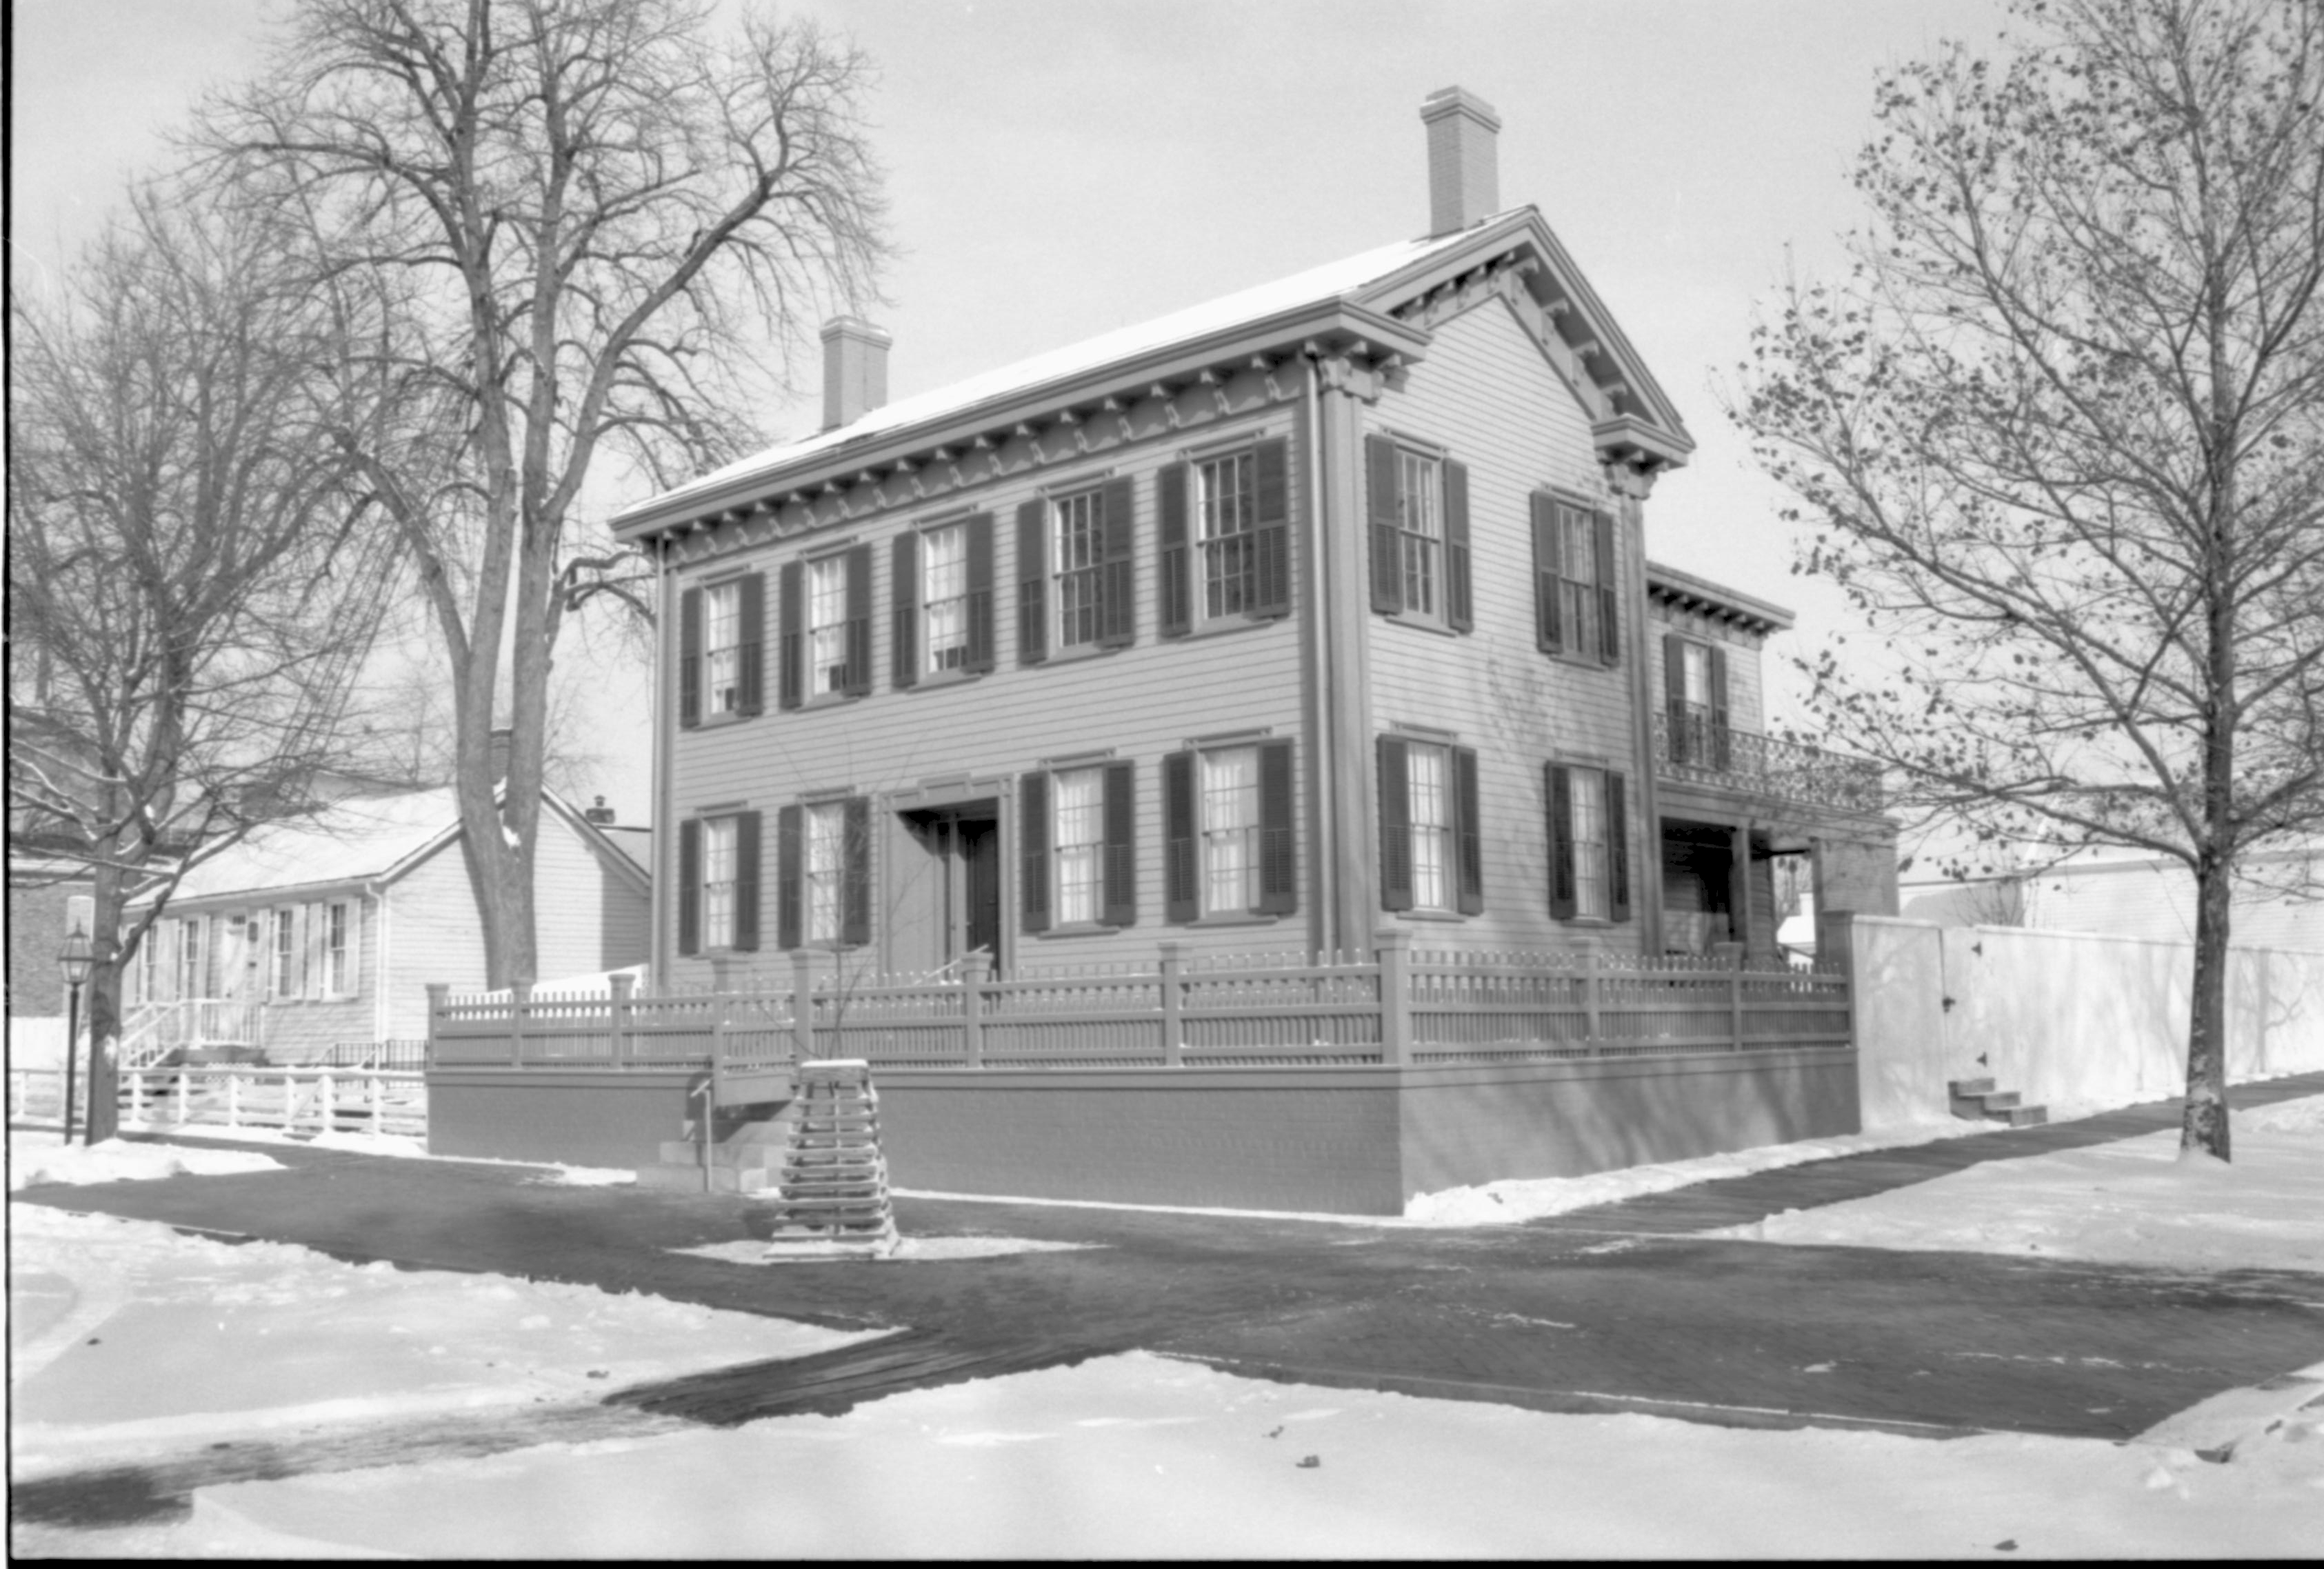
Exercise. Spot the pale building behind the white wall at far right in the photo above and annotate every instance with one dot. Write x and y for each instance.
(2132, 894)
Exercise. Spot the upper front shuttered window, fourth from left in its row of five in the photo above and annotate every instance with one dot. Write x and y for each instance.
(1075, 573)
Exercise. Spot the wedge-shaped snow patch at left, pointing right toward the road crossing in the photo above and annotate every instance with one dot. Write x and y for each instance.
(271, 1335)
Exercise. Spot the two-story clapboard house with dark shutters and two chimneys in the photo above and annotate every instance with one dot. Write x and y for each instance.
(1305, 615)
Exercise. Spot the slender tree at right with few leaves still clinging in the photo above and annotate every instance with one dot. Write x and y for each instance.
(2063, 440)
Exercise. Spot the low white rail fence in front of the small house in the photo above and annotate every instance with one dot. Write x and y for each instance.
(238, 1096)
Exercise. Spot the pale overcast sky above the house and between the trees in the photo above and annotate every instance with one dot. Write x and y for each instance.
(1063, 169)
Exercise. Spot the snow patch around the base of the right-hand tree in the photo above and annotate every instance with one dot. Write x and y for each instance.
(2135, 1203)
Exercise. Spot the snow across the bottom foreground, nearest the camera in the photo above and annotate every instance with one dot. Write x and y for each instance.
(1140, 1456)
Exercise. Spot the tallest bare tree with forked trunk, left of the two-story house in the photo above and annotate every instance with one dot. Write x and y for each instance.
(561, 229)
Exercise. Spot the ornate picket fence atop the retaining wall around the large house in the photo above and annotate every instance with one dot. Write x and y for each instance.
(1400, 1008)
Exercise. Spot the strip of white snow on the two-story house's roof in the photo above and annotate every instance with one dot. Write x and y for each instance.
(1317, 285)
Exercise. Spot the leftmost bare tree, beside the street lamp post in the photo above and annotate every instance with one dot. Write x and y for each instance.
(194, 585)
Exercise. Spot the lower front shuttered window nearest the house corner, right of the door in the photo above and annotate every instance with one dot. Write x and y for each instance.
(1228, 831)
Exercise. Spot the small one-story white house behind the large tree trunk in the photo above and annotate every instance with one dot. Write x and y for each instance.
(327, 933)
